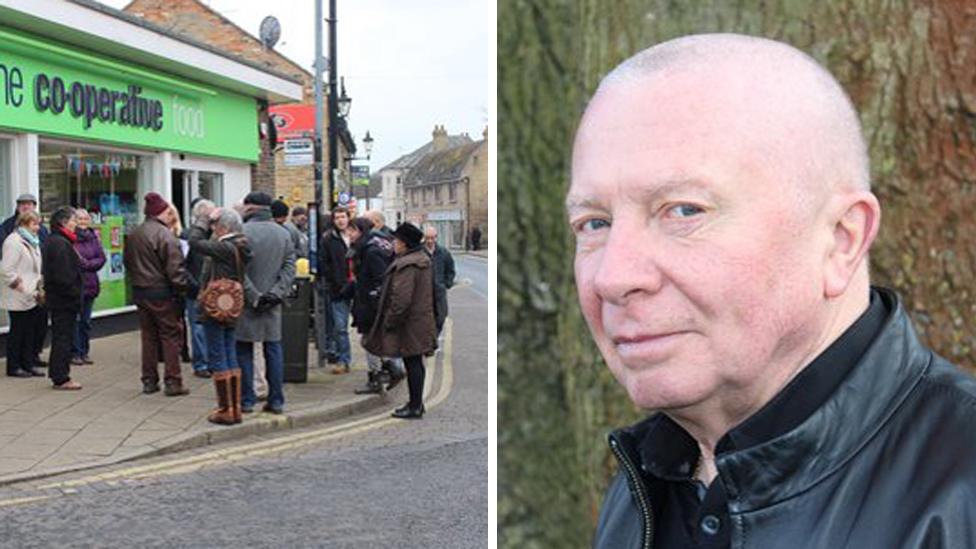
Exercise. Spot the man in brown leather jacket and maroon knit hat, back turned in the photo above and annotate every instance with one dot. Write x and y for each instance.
(153, 263)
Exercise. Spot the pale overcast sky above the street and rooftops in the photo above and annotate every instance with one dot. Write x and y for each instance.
(408, 64)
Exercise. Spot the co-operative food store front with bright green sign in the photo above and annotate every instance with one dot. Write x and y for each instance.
(91, 130)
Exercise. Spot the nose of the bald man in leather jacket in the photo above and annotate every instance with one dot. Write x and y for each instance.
(628, 267)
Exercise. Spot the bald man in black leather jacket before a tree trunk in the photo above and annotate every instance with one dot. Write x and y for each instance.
(721, 205)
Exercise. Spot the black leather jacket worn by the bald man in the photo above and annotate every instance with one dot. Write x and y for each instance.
(888, 462)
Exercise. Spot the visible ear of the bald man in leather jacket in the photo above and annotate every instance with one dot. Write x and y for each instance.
(855, 227)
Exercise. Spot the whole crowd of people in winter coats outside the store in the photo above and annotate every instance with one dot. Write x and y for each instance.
(208, 293)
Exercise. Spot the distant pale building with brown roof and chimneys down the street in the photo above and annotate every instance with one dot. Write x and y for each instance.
(448, 188)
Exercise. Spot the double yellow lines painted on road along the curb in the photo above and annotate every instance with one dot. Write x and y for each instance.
(230, 455)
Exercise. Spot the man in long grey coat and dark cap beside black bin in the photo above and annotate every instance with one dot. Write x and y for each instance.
(268, 280)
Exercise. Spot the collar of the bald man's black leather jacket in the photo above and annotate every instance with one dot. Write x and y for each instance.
(775, 470)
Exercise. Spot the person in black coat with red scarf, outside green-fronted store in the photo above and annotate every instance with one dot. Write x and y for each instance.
(62, 286)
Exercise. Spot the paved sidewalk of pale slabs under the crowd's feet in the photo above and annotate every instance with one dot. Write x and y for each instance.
(44, 432)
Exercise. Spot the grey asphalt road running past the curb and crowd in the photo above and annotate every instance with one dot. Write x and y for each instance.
(386, 483)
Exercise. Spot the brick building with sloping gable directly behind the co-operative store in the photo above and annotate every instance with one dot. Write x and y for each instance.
(195, 20)
